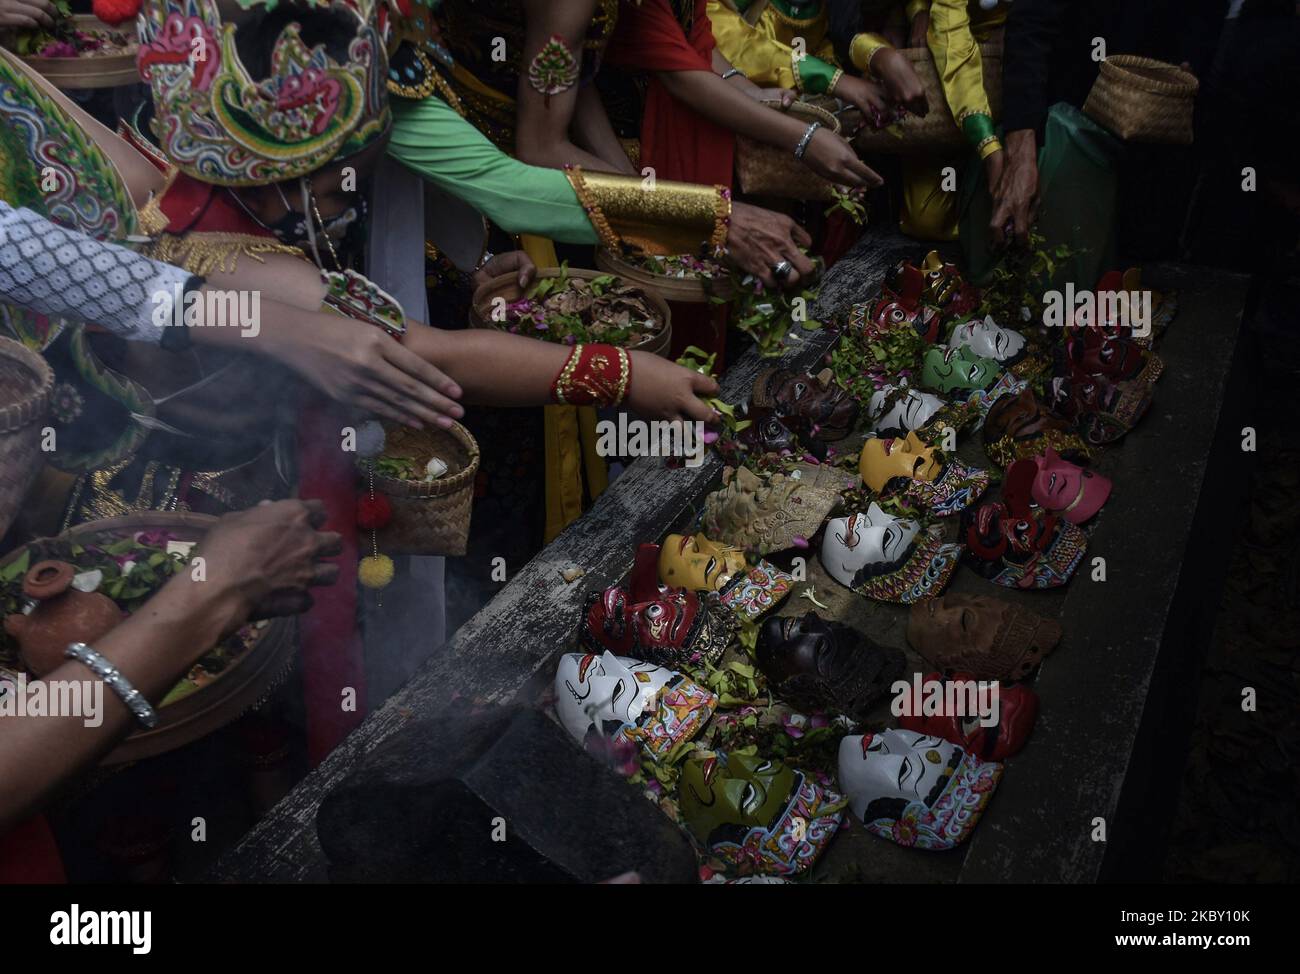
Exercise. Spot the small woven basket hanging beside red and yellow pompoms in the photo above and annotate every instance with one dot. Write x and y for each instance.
(430, 518)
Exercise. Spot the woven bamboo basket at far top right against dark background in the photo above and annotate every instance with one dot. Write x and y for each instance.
(1143, 101)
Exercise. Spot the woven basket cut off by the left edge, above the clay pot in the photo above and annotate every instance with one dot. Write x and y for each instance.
(27, 386)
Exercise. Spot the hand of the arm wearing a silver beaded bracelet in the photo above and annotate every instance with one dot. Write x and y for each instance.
(265, 560)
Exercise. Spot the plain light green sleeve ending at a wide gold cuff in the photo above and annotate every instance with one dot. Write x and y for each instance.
(432, 140)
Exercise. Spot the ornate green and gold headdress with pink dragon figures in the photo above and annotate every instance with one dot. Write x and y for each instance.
(223, 127)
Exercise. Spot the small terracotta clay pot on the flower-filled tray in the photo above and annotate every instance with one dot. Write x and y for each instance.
(64, 616)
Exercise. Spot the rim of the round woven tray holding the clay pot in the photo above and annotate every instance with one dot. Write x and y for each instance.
(244, 686)
